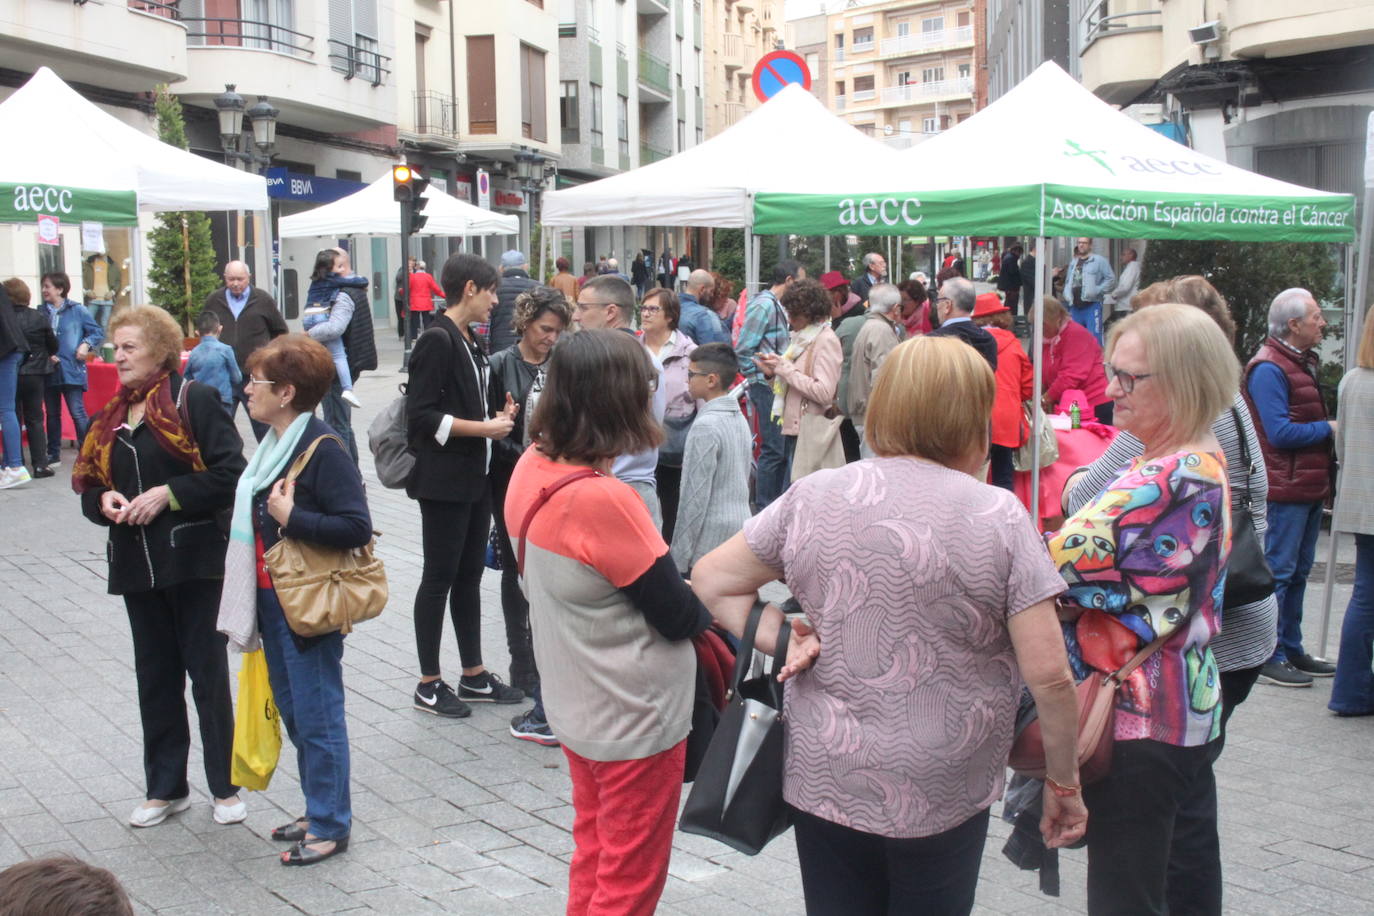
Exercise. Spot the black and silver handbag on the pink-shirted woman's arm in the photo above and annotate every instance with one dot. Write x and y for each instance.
(737, 797)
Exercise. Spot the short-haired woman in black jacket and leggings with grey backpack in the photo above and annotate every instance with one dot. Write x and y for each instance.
(451, 432)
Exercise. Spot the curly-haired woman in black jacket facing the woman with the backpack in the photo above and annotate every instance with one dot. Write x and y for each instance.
(542, 315)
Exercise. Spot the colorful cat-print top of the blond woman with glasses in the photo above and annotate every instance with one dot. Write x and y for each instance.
(1145, 558)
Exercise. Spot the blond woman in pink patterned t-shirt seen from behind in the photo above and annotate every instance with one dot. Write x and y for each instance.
(898, 738)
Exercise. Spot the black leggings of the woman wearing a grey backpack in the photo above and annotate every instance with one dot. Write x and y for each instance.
(454, 540)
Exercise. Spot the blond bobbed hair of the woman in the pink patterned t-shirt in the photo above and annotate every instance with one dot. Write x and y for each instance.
(903, 417)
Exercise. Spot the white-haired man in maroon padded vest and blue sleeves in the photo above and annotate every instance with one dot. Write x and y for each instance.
(1284, 389)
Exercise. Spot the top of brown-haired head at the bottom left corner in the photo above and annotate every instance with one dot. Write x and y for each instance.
(61, 886)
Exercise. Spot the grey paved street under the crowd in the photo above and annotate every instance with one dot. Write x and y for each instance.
(457, 816)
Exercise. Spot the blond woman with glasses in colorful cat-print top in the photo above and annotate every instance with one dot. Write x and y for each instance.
(1145, 561)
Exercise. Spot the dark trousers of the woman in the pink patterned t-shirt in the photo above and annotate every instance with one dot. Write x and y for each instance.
(848, 873)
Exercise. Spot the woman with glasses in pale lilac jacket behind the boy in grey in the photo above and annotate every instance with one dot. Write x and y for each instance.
(671, 352)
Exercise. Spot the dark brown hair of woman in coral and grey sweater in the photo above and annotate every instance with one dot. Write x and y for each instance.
(597, 399)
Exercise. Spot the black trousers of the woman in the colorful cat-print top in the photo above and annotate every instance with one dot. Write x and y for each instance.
(1133, 821)
